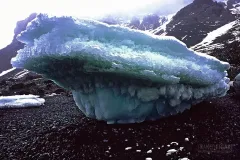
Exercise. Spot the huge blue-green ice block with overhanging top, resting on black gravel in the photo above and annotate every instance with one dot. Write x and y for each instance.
(118, 74)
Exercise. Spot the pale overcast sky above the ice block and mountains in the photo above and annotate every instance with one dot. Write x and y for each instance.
(13, 10)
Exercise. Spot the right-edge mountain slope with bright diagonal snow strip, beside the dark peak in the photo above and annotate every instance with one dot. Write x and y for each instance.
(224, 41)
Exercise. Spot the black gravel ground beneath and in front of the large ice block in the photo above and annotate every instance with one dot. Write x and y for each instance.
(58, 130)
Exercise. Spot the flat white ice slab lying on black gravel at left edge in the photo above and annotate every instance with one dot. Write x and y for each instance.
(20, 101)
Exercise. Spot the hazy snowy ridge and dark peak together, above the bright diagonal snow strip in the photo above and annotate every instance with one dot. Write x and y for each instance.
(191, 24)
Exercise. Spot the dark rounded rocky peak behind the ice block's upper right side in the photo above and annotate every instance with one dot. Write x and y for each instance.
(192, 23)
